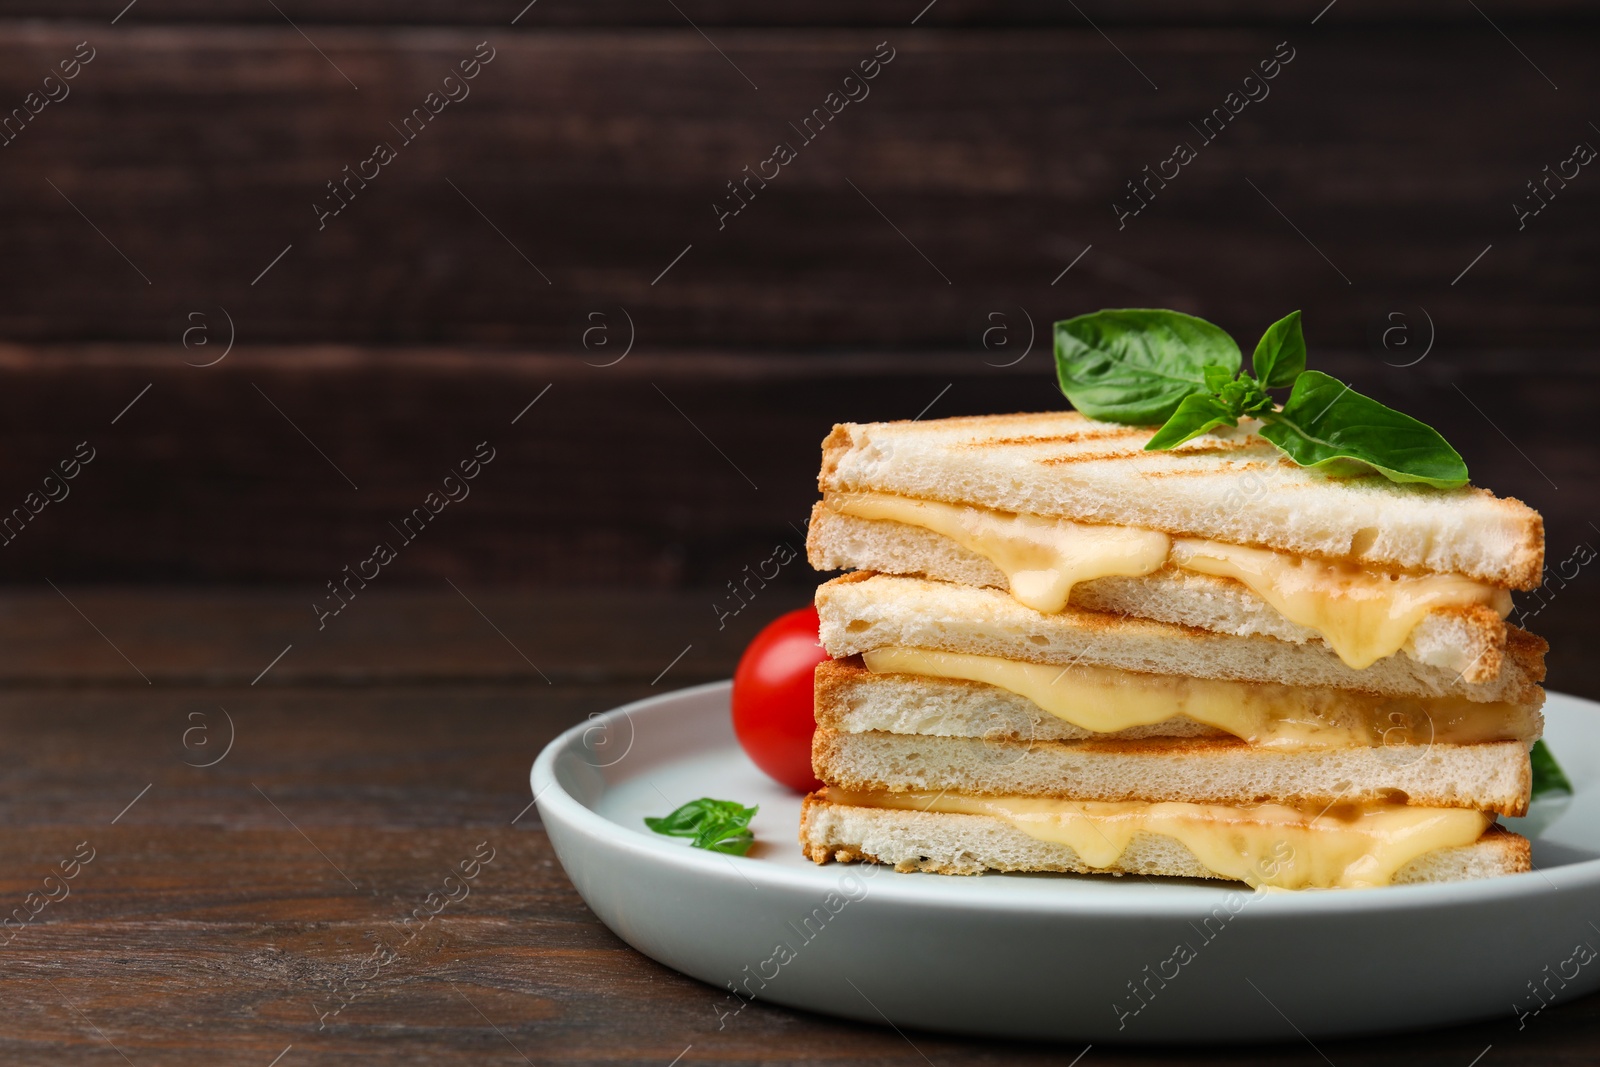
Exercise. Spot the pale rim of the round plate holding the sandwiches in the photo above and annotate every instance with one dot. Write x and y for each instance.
(1044, 897)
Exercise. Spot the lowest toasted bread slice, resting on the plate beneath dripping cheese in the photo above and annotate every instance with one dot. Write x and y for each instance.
(972, 844)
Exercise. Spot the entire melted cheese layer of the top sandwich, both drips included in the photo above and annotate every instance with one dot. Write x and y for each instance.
(1361, 613)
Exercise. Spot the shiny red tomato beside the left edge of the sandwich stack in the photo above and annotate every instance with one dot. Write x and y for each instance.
(772, 698)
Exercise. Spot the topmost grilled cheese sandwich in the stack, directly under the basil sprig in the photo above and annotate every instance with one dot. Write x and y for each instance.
(1364, 589)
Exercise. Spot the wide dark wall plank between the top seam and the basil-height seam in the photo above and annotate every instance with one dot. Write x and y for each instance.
(1377, 170)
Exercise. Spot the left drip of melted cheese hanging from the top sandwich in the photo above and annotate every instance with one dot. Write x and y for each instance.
(1041, 557)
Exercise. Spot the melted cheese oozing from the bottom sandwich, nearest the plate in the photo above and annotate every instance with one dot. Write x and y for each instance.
(1263, 845)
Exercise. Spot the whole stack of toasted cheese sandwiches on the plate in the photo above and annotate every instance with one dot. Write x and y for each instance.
(1060, 652)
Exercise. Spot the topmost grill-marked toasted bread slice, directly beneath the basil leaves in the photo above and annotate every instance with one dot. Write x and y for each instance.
(1230, 487)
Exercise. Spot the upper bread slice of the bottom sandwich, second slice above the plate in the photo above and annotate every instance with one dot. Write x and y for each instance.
(1492, 777)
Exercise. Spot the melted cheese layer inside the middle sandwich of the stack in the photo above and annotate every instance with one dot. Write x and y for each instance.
(1106, 700)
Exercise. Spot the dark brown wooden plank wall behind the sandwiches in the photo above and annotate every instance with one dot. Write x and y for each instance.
(169, 199)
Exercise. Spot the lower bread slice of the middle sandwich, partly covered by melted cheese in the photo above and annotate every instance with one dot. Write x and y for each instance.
(850, 698)
